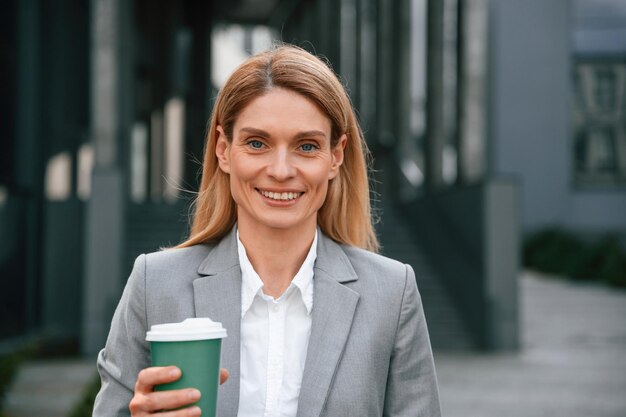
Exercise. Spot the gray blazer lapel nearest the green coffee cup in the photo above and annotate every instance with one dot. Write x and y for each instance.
(218, 296)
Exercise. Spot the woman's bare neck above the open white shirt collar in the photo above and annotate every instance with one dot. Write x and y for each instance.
(276, 254)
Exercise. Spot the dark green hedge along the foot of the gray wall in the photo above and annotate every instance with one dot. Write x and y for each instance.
(557, 251)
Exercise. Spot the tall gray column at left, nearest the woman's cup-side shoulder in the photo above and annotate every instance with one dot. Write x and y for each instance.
(105, 208)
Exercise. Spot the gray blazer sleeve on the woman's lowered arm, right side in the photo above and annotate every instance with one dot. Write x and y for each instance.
(412, 382)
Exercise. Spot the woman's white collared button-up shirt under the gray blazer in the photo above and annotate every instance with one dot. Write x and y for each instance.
(274, 340)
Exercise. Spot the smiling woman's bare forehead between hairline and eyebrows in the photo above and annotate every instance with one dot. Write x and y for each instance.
(283, 110)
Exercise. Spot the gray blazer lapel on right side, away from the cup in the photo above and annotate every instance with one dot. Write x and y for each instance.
(334, 306)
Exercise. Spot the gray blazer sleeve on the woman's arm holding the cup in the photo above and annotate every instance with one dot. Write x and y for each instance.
(126, 351)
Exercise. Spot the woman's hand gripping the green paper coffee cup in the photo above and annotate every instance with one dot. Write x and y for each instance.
(147, 401)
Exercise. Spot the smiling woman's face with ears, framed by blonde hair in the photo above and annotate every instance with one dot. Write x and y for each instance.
(280, 161)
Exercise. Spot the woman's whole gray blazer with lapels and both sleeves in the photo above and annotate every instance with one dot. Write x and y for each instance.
(369, 352)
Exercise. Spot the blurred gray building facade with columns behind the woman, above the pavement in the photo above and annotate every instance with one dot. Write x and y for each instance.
(465, 104)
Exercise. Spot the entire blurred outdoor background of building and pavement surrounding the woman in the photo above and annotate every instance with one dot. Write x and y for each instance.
(498, 130)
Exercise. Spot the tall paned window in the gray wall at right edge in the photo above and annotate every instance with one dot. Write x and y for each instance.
(599, 96)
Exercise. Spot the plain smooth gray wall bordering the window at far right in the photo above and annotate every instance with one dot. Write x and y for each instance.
(530, 99)
